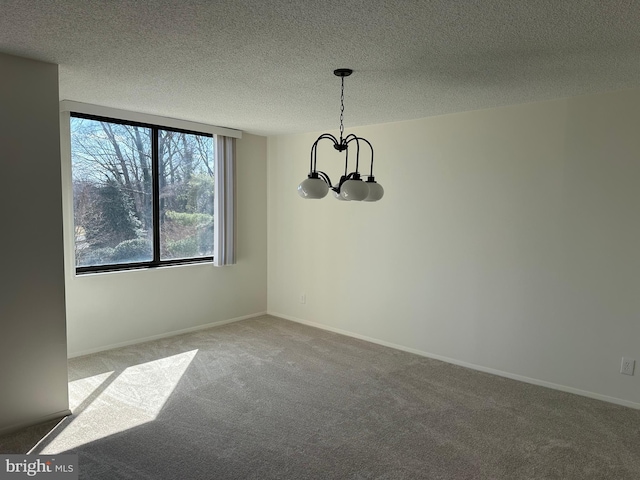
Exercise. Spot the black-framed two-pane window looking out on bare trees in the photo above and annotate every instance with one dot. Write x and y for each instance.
(143, 195)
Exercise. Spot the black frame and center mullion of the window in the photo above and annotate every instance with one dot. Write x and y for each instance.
(156, 261)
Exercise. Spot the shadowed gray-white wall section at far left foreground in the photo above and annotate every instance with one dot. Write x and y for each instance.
(33, 362)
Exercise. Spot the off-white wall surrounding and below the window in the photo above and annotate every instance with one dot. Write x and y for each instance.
(110, 309)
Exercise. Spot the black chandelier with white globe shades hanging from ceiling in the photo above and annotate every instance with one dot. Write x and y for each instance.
(350, 186)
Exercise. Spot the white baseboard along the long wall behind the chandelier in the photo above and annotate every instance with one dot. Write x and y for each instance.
(501, 373)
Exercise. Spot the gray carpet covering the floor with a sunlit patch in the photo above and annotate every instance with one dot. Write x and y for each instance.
(267, 398)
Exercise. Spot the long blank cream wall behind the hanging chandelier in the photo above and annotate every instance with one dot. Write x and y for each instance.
(508, 240)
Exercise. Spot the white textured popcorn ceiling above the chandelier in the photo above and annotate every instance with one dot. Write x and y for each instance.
(265, 66)
